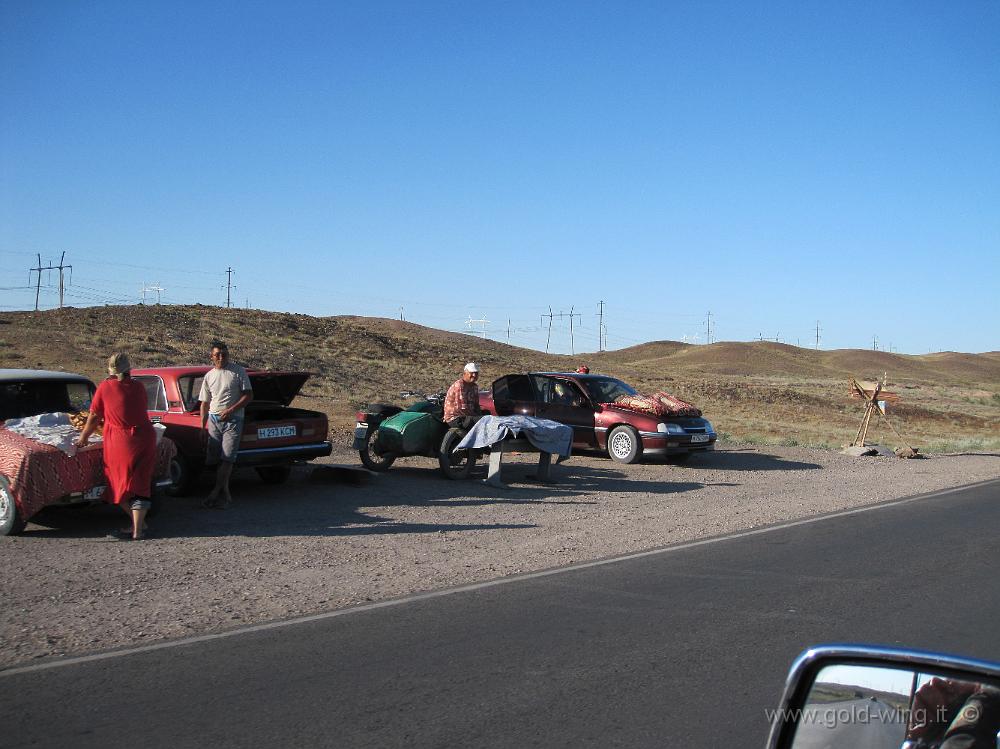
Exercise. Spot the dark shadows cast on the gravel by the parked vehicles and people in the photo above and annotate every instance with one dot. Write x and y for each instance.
(348, 501)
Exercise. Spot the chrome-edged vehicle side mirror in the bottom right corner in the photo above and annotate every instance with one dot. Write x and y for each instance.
(849, 697)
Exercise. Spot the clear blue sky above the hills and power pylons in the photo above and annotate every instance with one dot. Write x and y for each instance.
(775, 164)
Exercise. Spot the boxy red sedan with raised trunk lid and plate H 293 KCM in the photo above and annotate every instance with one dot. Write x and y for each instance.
(275, 435)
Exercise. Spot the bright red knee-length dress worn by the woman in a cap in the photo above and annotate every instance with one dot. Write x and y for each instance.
(129, 439)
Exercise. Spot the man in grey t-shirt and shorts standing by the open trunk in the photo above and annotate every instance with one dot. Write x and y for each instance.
(225, 390)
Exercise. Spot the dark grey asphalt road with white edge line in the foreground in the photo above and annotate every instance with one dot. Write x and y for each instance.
(687, 647)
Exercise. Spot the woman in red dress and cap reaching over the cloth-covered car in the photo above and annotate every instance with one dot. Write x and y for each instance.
(129, 441)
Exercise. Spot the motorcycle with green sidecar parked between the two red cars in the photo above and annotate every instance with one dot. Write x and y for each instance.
(385, 432)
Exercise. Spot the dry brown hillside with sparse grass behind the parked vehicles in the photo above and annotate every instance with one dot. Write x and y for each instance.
(756, 392)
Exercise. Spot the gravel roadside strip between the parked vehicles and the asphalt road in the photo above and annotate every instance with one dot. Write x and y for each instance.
(333, 538)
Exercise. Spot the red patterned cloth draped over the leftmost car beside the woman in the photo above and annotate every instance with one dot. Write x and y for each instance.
(40, 475)
